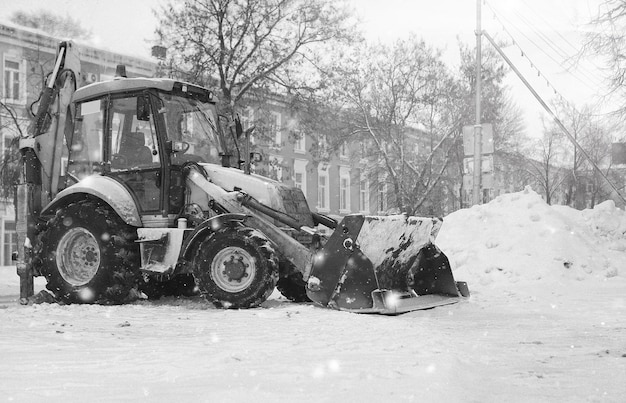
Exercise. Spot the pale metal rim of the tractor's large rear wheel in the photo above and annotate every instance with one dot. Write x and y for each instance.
(78, 256)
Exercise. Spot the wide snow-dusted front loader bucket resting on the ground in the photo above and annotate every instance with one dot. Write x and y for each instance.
(387, 265)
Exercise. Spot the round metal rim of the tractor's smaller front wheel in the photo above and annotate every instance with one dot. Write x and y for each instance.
(233, 269)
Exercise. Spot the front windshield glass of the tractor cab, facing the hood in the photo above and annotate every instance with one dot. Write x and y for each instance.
(193, 123)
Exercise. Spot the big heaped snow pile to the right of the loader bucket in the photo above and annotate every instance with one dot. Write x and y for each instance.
(518, 237)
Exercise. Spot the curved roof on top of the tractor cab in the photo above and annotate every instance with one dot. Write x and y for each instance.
(120, 85)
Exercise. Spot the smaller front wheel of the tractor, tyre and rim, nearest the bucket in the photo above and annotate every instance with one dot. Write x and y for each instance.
(236, 267)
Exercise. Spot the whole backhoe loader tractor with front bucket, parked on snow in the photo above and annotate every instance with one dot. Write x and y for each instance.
(127, 189)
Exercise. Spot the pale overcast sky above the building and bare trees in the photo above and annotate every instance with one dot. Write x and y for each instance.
(546, 30)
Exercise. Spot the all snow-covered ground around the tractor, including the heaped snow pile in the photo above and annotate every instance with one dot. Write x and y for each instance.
(546, 322)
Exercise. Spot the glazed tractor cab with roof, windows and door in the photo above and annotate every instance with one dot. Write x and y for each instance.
(141, 132)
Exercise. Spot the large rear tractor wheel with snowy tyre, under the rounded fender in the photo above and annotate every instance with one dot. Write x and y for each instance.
(88, 254)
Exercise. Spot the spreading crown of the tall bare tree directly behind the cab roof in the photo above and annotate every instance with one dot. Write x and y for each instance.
(249, 47)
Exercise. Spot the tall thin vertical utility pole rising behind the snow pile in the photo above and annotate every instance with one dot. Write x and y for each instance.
(478, 127)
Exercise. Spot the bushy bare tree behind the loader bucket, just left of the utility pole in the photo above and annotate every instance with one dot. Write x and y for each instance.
(395, 101)
